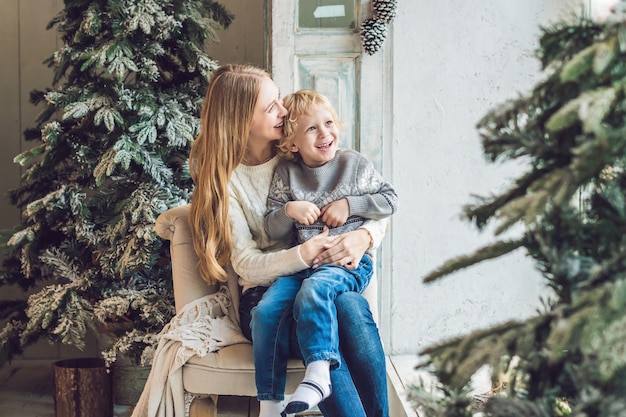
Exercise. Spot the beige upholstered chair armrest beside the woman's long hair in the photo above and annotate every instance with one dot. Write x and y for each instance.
(173, 225)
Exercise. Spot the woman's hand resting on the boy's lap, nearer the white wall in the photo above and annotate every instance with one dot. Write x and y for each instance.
(344, 250)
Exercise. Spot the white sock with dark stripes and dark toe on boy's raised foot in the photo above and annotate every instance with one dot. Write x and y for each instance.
(314, 388)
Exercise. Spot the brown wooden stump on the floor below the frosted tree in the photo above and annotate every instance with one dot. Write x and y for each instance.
(82, 388)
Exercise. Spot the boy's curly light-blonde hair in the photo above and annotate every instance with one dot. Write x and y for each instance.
(300, 104)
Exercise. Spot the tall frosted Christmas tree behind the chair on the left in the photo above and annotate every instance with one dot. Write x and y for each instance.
(109, 153)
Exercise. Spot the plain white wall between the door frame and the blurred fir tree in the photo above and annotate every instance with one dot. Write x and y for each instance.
(452, 62)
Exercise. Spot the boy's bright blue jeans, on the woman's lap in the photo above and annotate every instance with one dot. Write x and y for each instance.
(309, 297)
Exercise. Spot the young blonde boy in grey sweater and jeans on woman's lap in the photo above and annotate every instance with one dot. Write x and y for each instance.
(316, 186)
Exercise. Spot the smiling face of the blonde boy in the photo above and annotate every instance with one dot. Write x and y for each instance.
(317, 137)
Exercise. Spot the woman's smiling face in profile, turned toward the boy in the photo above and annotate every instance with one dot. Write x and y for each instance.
(267, 122)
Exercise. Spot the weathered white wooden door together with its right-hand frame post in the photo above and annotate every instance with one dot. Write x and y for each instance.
(316, 44)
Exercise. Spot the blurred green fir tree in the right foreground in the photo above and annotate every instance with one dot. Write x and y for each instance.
(568, 359)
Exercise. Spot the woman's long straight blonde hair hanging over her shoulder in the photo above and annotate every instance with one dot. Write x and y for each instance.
(219, 148)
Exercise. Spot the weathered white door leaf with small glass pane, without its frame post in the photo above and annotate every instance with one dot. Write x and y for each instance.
(316, 44)
